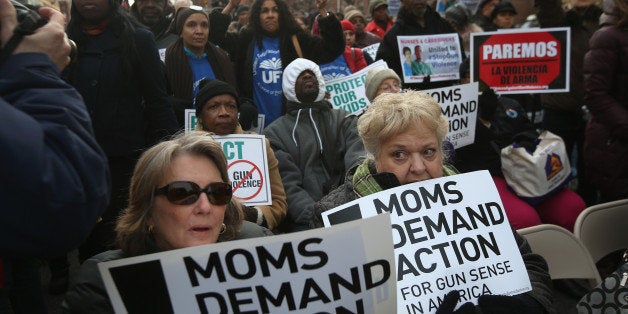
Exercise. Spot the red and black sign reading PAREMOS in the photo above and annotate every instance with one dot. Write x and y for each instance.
(522, 60)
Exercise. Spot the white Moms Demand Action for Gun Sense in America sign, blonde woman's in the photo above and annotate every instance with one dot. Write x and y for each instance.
(449, 233)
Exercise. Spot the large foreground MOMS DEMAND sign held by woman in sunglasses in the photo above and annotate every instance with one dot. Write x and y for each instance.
(346, 268)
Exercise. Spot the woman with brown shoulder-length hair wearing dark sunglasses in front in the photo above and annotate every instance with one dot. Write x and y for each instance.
(180, 196)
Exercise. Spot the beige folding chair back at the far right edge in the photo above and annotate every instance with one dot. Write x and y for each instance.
(603, 228)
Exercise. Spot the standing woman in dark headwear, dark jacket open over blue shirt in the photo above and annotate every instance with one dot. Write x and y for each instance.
(192, 58)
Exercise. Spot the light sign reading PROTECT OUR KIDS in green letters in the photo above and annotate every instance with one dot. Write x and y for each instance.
(349, 92)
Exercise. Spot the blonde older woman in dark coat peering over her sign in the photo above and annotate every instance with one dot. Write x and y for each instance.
(403, 135)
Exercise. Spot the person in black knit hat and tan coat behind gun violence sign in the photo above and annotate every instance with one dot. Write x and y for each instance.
(217, 110)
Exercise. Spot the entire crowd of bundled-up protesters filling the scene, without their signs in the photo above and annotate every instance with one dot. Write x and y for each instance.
(100, 163)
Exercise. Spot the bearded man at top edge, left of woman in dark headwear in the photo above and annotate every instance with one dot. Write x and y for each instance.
(156, 15)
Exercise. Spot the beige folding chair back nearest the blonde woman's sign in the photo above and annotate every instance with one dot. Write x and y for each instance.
(566, 256)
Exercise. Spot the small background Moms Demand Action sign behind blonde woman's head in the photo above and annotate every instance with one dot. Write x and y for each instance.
(459, 104)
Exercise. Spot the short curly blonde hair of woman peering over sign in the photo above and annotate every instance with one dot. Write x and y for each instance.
(394, 113)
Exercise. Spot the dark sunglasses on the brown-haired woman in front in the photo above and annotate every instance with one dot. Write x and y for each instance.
(186, 192)
